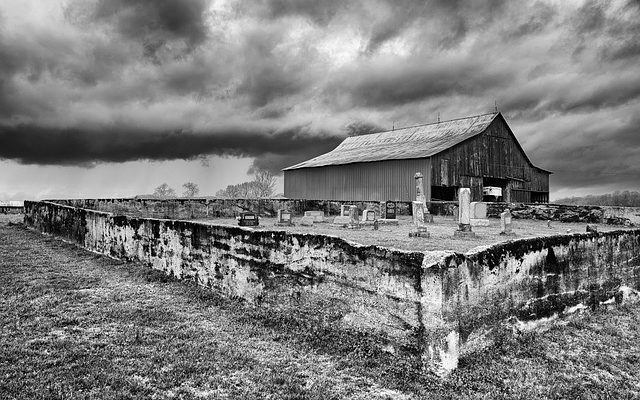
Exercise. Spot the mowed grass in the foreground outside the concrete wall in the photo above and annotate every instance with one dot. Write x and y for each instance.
(76, 325)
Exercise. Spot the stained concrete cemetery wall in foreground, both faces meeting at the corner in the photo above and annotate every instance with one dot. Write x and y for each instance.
(431, 301)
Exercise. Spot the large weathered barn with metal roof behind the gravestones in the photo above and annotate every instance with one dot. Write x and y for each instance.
(474, 152)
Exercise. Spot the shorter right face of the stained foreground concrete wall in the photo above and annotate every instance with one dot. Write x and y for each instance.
(533, 278)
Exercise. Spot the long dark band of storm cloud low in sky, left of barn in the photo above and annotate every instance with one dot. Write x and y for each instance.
(37, 145)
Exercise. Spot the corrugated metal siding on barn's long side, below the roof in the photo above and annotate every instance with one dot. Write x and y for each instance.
(371, 181)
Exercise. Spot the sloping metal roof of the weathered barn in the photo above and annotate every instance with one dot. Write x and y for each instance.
(411, 142)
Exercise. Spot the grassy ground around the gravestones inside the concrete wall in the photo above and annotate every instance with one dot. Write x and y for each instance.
(441, 232)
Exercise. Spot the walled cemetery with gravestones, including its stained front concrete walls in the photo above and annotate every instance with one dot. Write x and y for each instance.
(423, 281)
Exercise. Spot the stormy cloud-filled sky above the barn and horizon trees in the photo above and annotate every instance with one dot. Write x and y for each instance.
(111, 98)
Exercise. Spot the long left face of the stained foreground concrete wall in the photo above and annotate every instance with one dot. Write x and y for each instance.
(370, 287)
